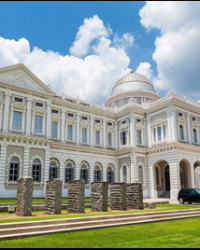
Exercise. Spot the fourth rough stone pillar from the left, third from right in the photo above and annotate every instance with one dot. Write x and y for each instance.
(99, 196)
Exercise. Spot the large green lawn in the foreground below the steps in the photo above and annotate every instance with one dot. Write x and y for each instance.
(171, 234)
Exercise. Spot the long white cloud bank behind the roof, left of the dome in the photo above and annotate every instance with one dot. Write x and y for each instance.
(90, 78)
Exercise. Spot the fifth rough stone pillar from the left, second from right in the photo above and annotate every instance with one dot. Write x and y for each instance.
(118, 196)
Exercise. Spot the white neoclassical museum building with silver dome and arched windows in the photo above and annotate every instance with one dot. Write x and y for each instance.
(136, 136)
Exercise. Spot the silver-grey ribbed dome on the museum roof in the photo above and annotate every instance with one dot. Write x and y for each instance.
(132, 82)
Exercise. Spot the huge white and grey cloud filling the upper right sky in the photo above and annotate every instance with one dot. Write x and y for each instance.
(179, 23)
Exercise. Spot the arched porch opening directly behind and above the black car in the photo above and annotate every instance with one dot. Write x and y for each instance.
(185, 175)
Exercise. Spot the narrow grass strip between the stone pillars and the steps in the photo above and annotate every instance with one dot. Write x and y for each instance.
(39, 215)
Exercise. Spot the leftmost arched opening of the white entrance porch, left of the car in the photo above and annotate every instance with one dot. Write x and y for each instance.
(162, 179)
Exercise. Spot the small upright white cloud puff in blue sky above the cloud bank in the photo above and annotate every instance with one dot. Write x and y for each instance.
(91, 29)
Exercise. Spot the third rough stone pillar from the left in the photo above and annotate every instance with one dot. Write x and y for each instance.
(76, 196)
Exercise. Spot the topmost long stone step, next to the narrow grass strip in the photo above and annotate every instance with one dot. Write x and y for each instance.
(92, 218)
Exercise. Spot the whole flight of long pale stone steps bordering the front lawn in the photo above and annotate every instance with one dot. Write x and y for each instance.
(72, 225)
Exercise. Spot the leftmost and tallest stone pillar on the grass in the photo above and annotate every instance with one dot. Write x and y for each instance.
(24, 196)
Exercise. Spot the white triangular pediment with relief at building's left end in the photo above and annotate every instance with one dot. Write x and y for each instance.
(21, 76)
